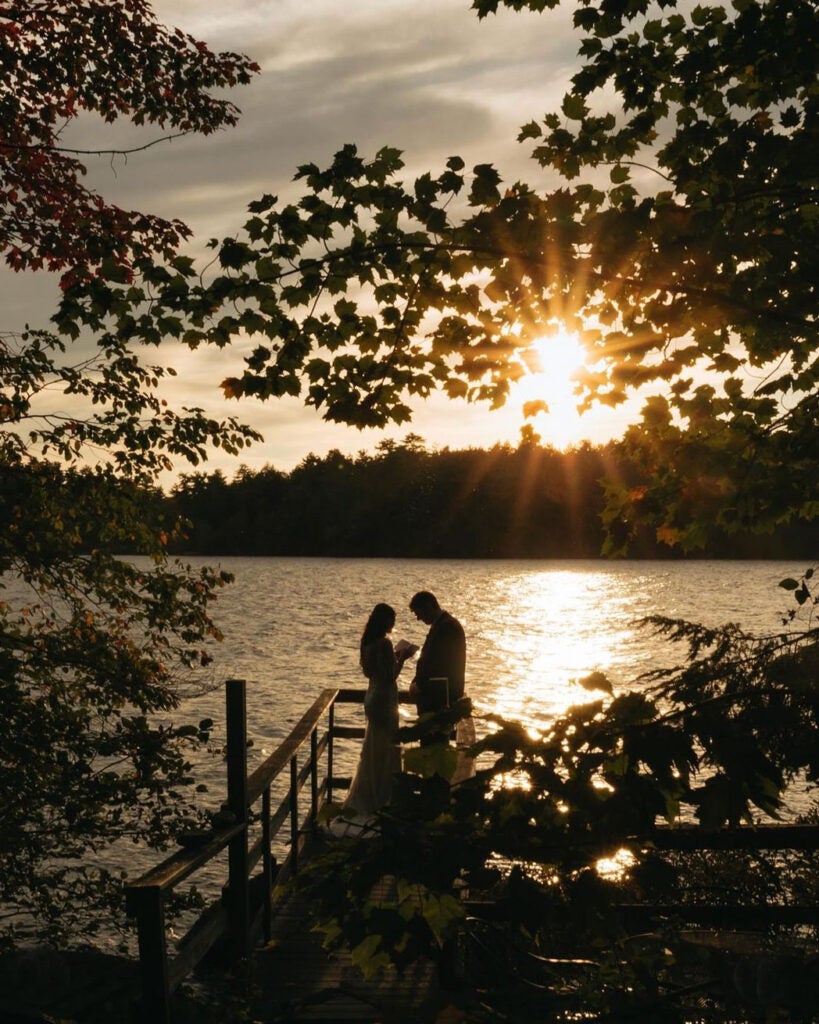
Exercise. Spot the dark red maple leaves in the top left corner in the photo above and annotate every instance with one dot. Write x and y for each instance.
(112, 58)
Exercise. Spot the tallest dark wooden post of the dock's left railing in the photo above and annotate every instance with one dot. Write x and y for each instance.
(238, 882)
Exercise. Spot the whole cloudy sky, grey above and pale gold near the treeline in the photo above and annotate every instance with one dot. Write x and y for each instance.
(424, 76)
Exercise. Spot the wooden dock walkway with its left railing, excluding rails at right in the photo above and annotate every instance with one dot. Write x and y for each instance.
(258, 921)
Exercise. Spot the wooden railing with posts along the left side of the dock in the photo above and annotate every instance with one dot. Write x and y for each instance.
(238, 919)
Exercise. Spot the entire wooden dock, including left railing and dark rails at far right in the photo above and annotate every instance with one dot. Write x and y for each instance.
(262, 926)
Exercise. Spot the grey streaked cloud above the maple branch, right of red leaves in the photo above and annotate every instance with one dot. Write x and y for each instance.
(426, 77)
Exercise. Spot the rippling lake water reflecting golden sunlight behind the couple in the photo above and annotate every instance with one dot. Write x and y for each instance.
(292, 625)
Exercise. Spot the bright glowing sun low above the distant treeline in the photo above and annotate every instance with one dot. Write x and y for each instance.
(546, 392)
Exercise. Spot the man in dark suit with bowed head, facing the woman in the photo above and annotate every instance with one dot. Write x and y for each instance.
(443, 658)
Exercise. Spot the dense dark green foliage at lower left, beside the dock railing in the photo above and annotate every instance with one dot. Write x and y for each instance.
(95, 654)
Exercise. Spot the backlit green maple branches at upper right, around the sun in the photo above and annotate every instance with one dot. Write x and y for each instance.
(695, 287)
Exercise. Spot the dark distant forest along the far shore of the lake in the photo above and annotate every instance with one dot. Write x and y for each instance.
(407, 501)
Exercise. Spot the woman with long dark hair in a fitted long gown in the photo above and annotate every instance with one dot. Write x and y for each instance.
(381, 755)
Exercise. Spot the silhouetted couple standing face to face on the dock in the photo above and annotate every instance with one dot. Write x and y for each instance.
(439, 681)
